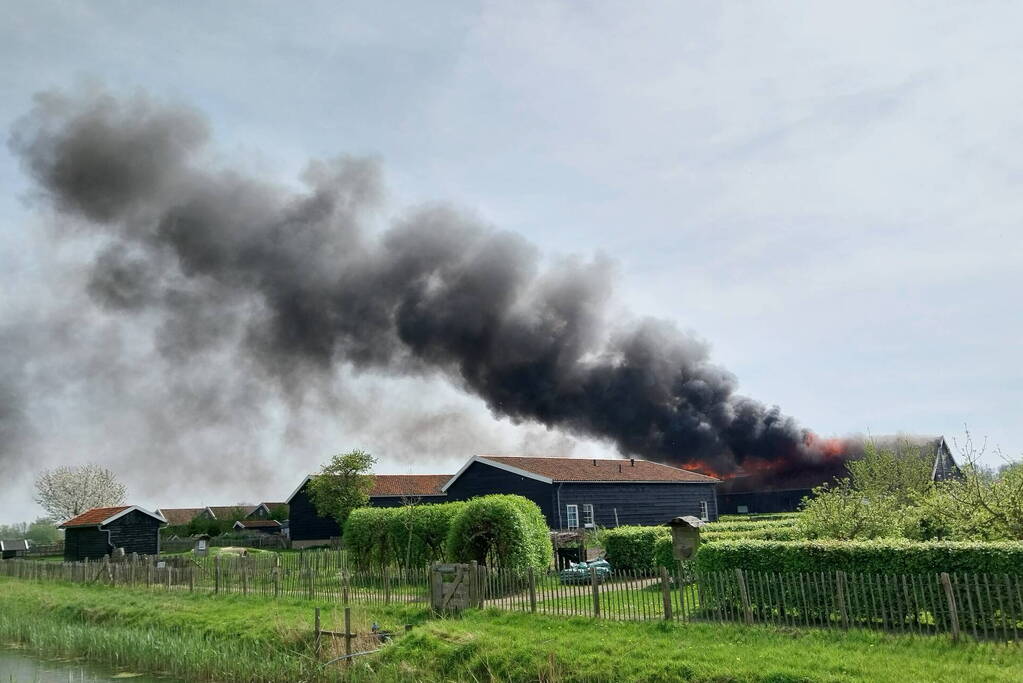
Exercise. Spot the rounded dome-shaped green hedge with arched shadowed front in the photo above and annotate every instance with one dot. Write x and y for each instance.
(502, 530)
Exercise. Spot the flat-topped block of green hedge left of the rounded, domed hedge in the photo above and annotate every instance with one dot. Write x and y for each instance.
(412, 535)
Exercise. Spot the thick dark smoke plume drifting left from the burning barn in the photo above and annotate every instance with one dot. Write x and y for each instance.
(294, 286)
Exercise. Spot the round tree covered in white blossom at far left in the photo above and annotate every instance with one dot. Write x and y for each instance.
(67, 492)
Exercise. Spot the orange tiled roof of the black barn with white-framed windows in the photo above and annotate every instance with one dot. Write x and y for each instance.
(589, 470)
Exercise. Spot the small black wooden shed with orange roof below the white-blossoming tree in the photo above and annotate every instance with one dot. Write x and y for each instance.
(97, 533)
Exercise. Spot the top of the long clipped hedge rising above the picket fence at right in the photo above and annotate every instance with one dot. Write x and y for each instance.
(879, 557)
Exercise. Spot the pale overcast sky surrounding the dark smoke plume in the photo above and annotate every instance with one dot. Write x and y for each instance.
(828, 194)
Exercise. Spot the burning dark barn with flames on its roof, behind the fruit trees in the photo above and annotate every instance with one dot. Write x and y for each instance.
(753, 494)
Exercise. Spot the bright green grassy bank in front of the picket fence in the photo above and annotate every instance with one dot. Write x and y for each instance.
(237, 639)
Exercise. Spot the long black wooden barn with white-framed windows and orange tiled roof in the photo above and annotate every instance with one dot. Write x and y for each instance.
(576, 493)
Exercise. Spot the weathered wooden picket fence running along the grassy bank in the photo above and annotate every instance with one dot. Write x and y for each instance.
(982, 607)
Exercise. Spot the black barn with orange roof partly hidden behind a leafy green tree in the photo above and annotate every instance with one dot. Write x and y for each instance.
(309, 529)
